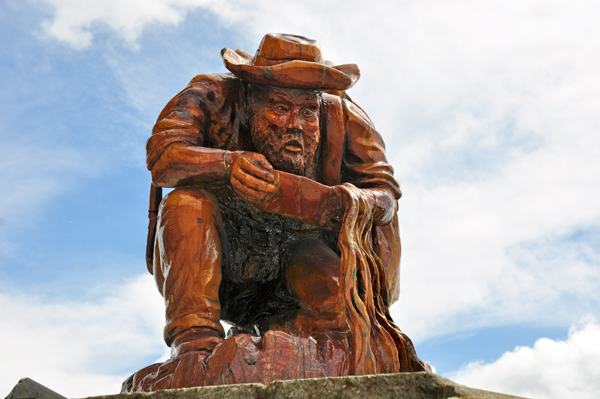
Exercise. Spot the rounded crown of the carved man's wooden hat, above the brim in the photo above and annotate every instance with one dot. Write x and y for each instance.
(275, 48)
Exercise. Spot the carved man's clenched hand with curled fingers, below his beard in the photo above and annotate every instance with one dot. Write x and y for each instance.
(252, 177)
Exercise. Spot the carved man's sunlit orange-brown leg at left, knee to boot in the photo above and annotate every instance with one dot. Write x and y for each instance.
(187, 269)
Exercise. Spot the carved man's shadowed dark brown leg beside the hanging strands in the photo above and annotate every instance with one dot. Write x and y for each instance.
(313, 277)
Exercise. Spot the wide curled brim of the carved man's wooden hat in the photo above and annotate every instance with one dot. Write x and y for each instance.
(293, 74)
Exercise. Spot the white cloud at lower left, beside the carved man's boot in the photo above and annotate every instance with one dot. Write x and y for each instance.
(80, 349)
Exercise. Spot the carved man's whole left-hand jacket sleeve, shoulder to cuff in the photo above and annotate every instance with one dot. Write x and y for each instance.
(188, 139)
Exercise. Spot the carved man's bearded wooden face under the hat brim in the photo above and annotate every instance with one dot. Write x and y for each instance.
(285, 127)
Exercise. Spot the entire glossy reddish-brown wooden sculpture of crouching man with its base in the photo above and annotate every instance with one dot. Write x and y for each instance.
(282, 222)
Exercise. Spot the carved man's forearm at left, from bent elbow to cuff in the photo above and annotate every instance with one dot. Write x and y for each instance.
(184, 164)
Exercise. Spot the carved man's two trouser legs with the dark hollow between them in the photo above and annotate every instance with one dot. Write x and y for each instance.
(212, 262)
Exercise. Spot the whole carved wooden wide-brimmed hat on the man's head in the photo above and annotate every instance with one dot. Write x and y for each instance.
(290, 61)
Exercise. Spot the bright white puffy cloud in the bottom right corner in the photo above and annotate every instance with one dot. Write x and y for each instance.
(548, 370)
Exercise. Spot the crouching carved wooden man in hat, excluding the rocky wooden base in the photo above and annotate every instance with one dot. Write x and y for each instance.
(258, 158)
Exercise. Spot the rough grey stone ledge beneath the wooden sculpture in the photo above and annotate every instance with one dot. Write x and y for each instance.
(382, 386)
